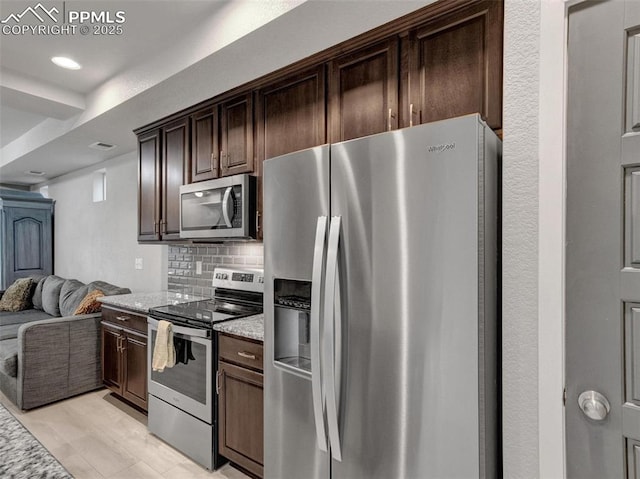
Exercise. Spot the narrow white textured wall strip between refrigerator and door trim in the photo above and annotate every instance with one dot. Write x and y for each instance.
(520, 238)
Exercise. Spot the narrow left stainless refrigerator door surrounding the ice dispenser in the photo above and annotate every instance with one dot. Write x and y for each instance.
(297, 187)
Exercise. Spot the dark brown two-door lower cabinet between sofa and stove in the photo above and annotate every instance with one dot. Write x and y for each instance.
(124, 357)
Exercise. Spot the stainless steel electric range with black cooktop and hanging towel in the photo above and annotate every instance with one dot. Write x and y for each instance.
(183, 407)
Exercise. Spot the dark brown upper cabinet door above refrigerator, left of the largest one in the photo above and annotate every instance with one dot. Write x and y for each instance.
(363, 92)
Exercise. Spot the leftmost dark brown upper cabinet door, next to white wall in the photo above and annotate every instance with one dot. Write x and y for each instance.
(149, 186)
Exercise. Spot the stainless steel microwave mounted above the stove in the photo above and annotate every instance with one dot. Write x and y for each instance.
(224, 208)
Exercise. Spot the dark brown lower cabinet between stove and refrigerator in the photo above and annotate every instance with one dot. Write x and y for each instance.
(240, 407)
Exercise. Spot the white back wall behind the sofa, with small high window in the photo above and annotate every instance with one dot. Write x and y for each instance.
(99, 240)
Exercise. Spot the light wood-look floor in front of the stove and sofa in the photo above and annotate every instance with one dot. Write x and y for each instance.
(97, 436)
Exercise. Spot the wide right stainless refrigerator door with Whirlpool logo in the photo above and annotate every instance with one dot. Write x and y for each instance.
(413, 401)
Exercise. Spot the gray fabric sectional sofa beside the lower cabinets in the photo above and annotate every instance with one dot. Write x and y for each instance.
(47, 353)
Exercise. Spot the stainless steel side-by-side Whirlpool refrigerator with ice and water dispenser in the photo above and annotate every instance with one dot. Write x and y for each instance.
(381, 306)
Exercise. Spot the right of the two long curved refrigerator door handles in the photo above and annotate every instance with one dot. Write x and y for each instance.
(333, 339)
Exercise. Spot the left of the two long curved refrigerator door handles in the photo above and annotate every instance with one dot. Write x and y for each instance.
(316, 307)
